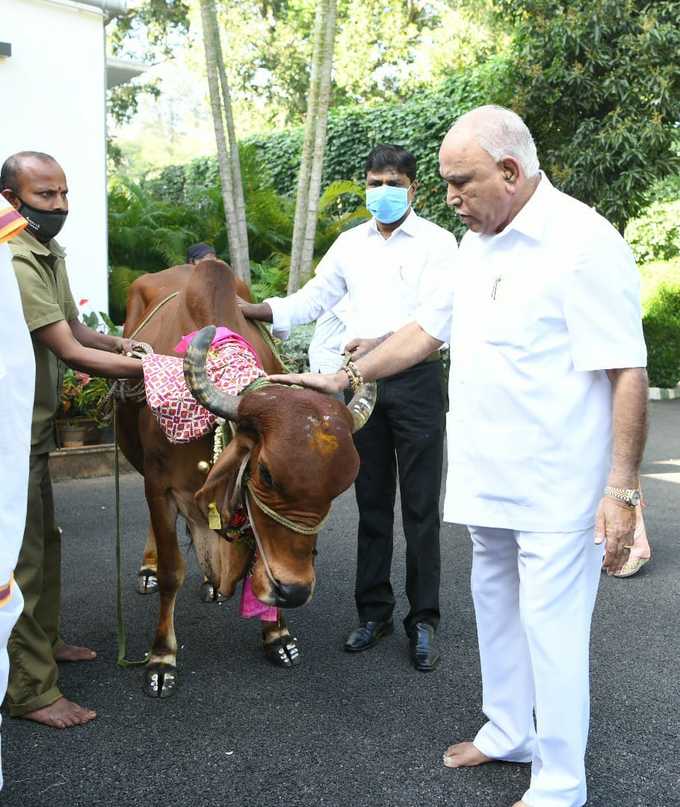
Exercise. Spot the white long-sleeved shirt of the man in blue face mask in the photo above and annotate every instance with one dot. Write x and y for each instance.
(390, 282)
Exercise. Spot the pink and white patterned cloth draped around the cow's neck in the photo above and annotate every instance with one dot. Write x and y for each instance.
(231, 365)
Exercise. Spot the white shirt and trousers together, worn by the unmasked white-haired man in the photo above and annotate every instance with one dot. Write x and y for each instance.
(541, 311)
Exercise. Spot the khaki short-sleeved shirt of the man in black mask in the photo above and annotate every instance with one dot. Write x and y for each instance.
(46, 298)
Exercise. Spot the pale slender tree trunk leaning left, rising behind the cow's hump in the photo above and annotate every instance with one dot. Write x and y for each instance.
(227, 146)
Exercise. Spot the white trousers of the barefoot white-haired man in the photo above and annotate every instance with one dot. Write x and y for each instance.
(534, 594)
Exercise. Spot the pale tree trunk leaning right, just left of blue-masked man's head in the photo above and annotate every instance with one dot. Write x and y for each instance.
(314, 144)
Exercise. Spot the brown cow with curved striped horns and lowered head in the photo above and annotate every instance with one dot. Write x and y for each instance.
(291, 454)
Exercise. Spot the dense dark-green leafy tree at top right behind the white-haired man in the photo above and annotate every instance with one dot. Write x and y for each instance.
(598, 83)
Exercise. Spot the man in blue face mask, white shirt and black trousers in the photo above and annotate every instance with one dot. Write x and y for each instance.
(395, 269)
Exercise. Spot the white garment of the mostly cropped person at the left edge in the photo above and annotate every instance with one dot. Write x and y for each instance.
(17, 377)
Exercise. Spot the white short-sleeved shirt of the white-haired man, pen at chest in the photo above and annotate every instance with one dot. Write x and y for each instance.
(529, 431)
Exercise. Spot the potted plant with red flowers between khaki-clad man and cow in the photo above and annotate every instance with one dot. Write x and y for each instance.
(77, 419)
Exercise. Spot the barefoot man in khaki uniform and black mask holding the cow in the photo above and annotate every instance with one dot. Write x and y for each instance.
(35, 185)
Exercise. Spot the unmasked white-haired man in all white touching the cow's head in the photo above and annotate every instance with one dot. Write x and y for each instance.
(546, 432)
